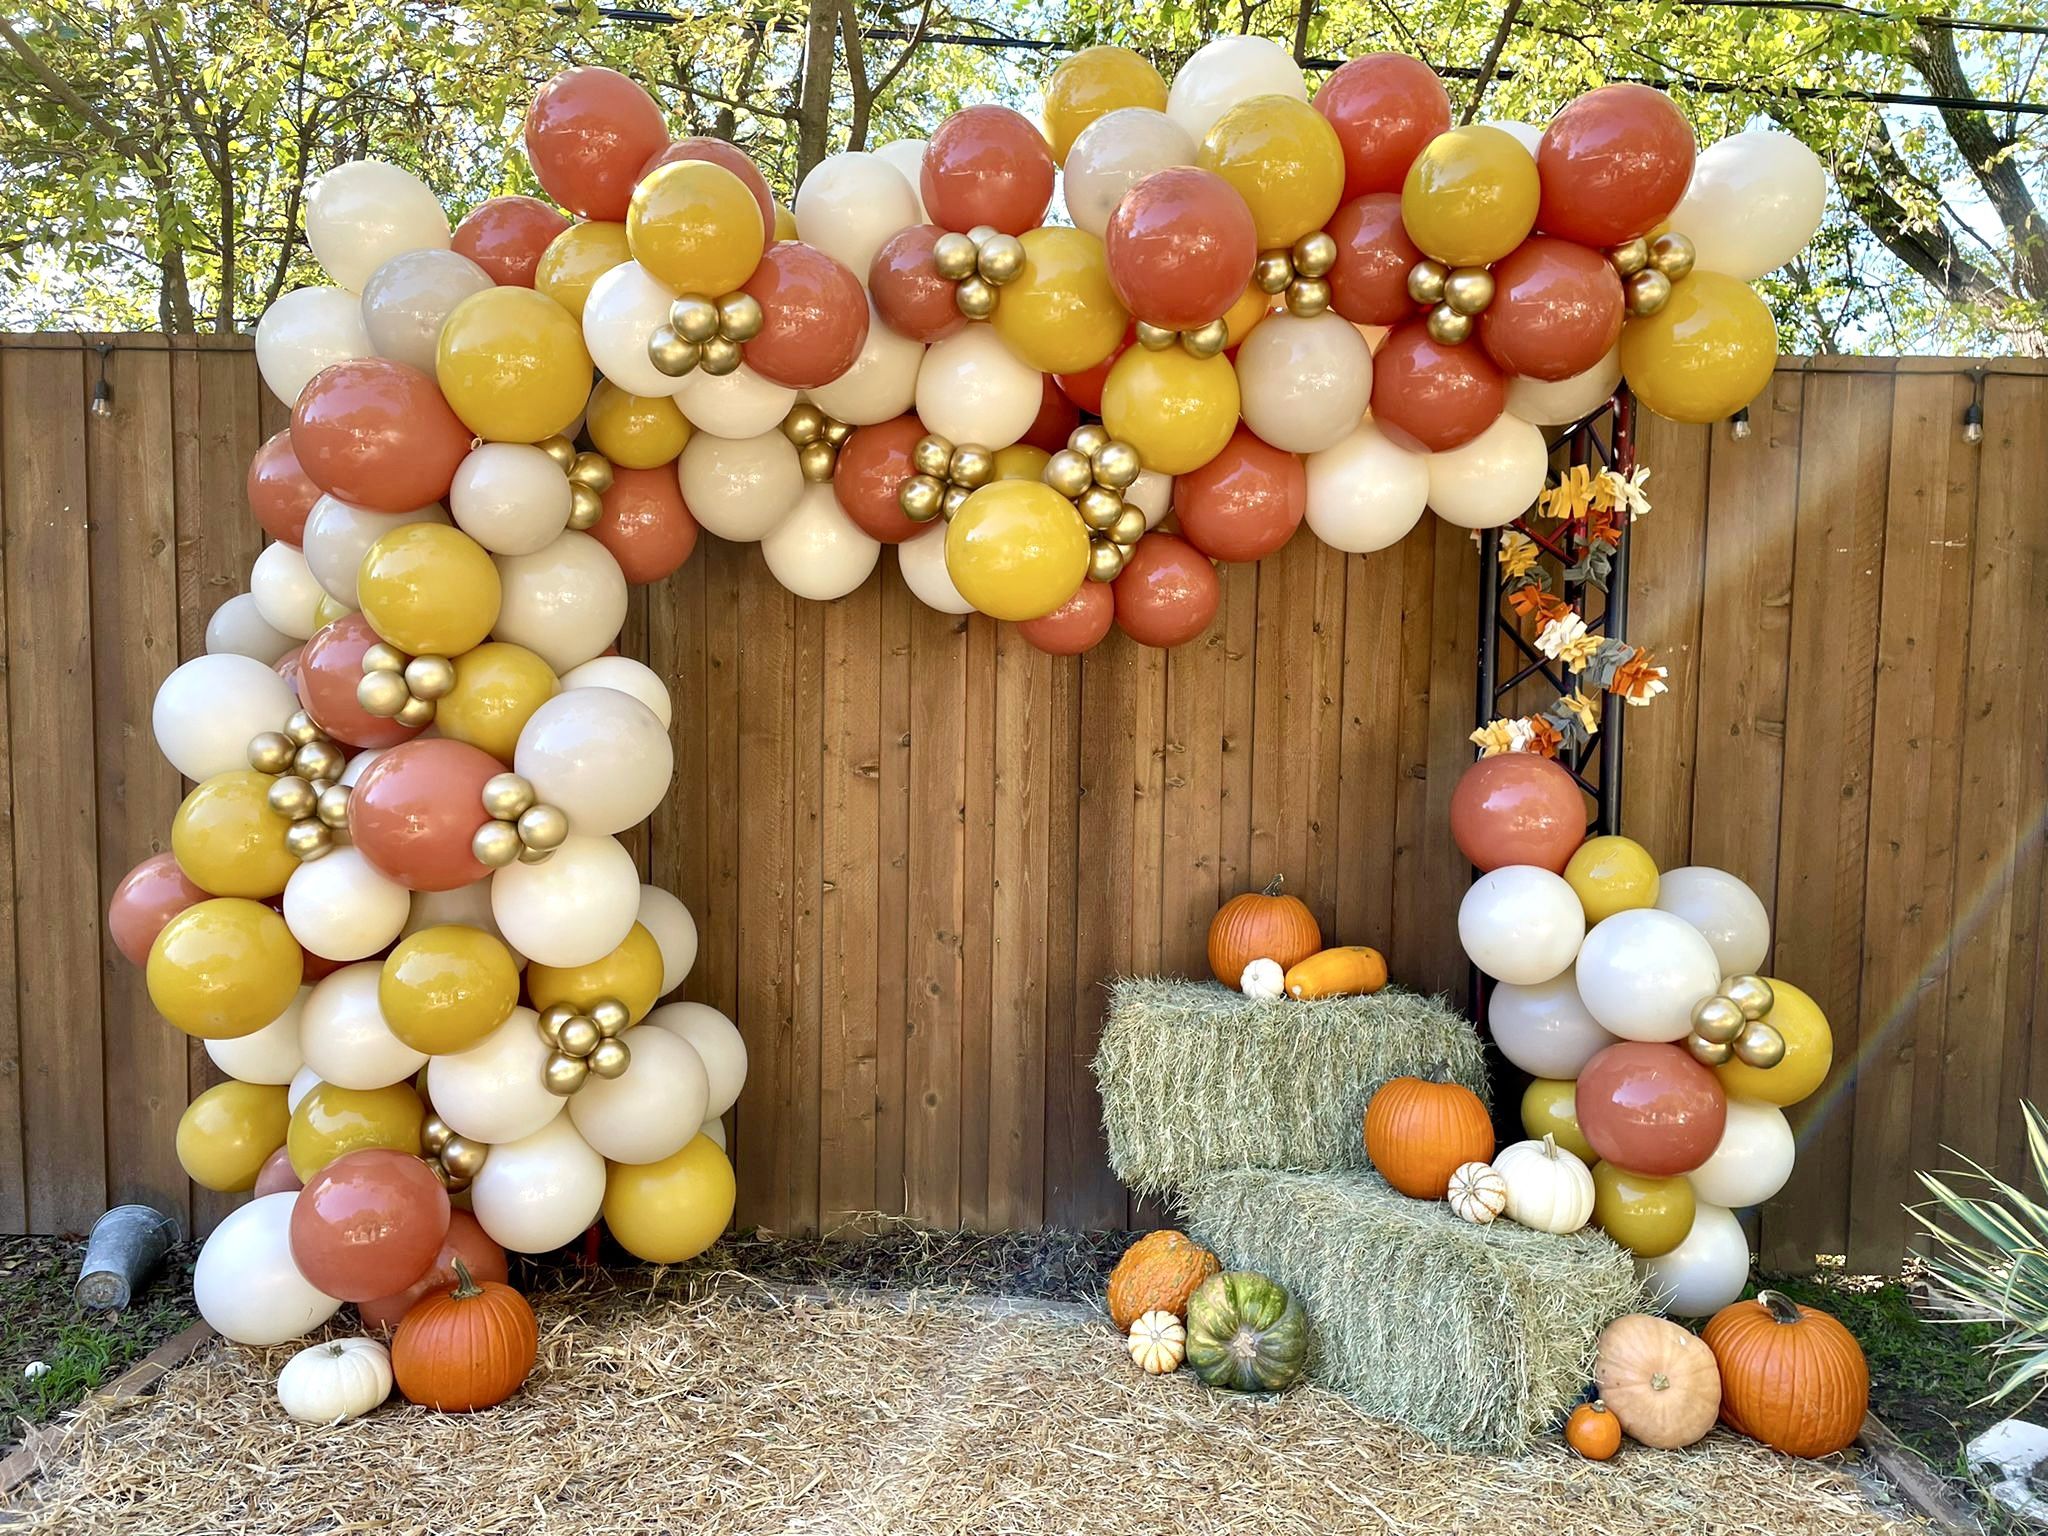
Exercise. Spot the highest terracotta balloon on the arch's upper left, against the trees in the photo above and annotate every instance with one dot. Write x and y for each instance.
(589, 136)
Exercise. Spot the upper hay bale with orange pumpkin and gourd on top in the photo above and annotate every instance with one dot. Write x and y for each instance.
(1199, 1078)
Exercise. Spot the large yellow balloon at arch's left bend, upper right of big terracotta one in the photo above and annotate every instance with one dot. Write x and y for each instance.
(513, 366)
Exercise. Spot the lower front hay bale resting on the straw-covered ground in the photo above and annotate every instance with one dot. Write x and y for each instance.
(1471, 1336)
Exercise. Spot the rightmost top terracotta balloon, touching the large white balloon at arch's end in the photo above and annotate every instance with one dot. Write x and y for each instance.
(1615, 165)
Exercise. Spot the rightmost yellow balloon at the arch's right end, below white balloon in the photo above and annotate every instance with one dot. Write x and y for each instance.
(1705, 355)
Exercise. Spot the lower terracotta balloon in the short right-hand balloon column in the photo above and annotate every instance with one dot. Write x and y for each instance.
(1652, 1109)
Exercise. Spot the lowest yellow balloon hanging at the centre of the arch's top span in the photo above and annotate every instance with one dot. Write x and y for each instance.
(1017, 550)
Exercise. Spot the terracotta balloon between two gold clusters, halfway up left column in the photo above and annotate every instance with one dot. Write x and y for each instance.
(417, 808)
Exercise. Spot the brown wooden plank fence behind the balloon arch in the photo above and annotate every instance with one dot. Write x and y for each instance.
(916, 847)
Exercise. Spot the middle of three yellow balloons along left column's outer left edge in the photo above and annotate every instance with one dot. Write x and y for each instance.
(222, 970)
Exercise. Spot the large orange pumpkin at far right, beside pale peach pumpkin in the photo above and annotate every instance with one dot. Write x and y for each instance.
(1791, 1377)
